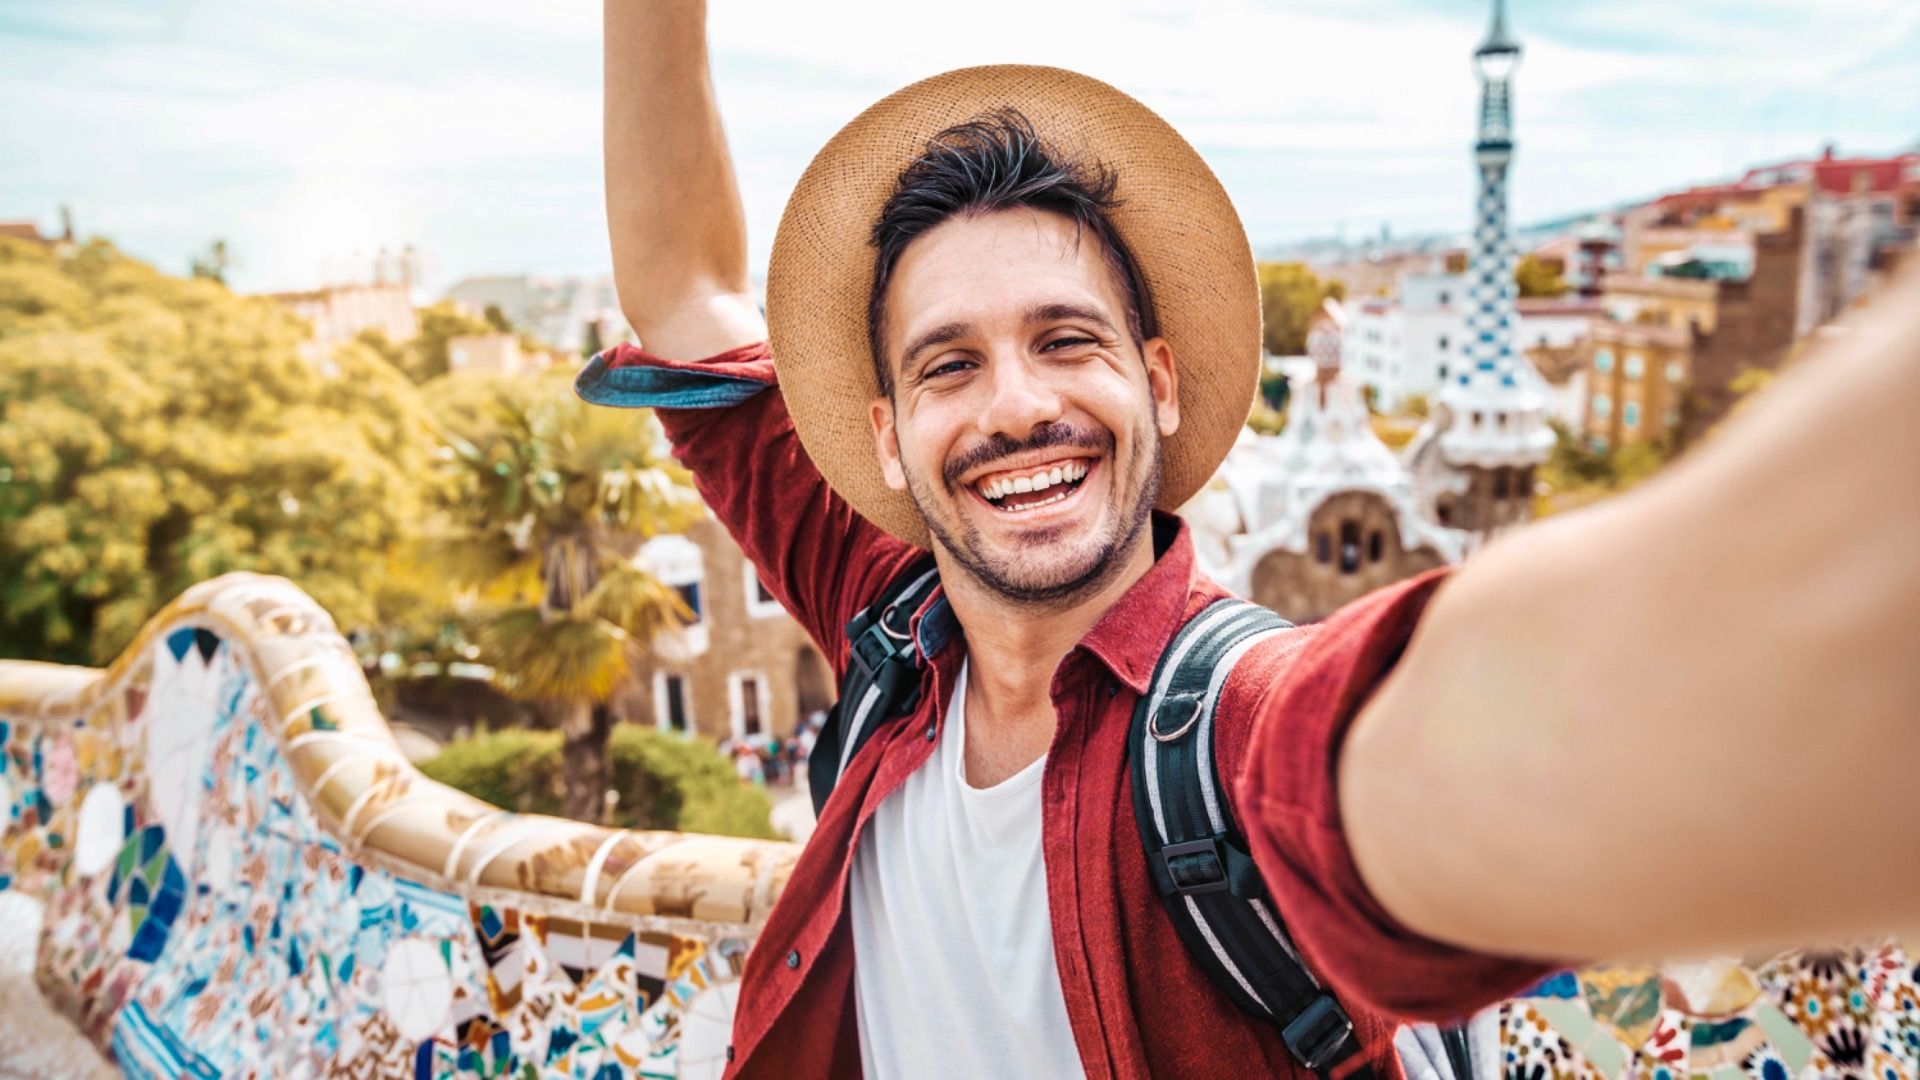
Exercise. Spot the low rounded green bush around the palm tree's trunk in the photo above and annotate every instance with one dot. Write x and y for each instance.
(663, 781)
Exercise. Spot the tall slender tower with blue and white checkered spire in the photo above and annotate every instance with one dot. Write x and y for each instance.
(1489, 433)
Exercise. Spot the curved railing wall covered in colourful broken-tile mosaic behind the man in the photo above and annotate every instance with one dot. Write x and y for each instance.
(243, 875)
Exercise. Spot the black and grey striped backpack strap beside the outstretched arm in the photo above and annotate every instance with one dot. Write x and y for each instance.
(1197, 854)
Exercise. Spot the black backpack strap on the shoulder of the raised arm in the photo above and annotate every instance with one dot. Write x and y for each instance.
(882, 677)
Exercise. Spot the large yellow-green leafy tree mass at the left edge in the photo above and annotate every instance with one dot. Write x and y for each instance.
(160, 431)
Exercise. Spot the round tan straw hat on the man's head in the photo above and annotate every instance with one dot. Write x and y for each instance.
(1174, 216)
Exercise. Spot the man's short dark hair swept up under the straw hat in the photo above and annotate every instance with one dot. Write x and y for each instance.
(986, 164)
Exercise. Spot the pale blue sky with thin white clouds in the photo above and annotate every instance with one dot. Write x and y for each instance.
(312, 134)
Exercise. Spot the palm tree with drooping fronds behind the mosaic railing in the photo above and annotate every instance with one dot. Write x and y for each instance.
(550, 501)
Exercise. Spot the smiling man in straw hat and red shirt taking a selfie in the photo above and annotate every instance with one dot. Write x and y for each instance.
(1013, 316)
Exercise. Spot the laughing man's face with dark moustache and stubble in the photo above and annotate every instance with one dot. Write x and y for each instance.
(1024, 422)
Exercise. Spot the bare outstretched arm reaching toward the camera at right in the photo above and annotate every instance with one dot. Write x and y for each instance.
(1685, 722)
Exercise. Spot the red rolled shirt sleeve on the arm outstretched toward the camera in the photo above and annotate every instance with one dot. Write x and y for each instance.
(1293, 820)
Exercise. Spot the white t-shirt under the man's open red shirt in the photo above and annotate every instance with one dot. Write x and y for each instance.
(953, 941)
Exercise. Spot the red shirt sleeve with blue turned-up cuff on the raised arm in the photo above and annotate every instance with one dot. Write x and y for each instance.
(729, 426)
